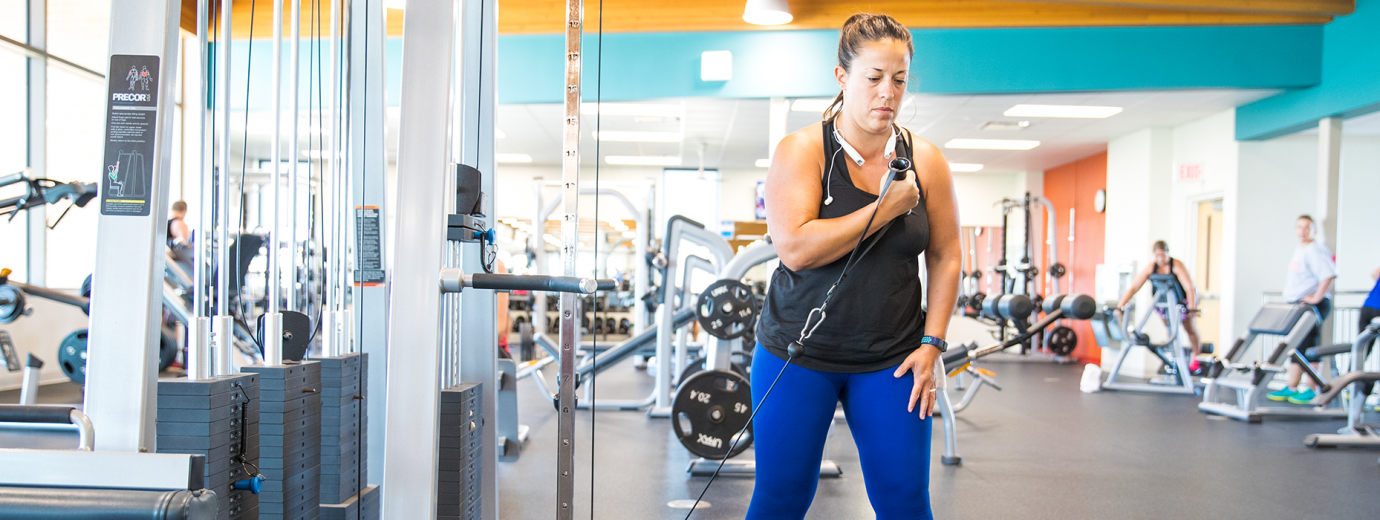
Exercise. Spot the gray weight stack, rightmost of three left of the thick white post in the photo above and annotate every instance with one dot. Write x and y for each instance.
(342, 435)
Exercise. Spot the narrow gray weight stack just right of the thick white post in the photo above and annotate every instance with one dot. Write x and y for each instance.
(459, 472)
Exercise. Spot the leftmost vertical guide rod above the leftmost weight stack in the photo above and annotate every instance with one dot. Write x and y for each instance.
(199, 330)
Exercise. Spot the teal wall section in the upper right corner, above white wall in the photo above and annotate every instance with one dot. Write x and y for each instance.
(1350, 82)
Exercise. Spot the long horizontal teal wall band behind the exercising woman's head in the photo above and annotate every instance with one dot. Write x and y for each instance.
(800, 64)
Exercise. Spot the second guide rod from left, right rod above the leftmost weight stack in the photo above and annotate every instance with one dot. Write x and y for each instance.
(223, 333)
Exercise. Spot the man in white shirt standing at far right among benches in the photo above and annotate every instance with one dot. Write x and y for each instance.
(1309, 281)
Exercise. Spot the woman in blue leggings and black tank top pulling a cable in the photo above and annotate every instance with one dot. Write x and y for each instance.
(876, 351)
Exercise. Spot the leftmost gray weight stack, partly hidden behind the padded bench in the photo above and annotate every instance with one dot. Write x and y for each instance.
(210, 419)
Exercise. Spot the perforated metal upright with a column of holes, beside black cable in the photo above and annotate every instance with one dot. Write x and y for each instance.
(569, 243)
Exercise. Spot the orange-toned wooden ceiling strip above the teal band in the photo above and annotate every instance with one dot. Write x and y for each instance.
(536, 17)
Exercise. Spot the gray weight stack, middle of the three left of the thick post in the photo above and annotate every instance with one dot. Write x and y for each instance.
(290, 439)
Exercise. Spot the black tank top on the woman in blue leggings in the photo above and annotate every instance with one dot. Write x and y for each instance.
(876, 318)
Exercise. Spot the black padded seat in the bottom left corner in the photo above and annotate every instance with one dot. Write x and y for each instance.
(49, 503)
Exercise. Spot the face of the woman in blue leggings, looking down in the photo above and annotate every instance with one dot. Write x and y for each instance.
(873, 90)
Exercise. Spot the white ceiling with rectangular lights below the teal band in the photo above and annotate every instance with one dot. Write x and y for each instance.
(735, 132)
